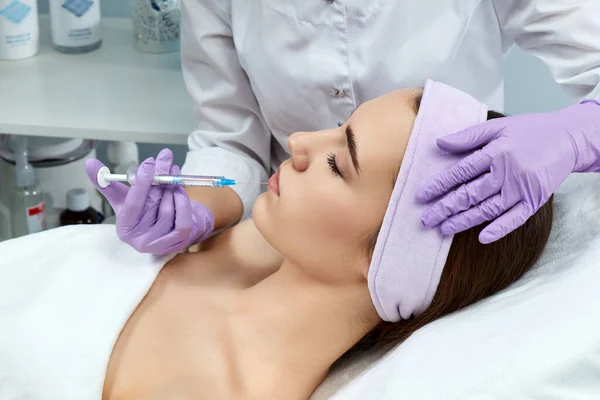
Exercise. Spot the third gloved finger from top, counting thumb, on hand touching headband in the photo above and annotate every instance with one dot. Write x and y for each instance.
(461, 199)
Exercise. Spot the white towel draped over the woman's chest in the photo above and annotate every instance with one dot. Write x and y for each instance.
(65, 296)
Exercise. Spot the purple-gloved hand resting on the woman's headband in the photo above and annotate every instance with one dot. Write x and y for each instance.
(520, 163)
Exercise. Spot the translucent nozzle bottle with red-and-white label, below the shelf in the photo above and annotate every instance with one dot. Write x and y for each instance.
(27, 202)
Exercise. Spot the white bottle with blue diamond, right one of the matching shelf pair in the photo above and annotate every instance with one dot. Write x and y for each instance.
(75, 25)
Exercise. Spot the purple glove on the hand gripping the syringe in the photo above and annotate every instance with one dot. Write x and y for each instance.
(155, 219)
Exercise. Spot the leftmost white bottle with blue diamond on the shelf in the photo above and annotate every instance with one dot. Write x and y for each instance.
(19, 29)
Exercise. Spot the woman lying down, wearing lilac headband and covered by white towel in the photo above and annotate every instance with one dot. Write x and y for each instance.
(334, 260)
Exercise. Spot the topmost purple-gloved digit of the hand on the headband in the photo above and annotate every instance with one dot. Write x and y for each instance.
(473, 137)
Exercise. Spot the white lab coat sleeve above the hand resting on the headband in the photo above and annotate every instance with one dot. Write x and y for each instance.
(564, 34)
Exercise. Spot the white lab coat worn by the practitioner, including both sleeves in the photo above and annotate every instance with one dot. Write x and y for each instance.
(259, 70)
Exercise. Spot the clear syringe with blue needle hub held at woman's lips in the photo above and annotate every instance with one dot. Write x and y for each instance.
(105, 177)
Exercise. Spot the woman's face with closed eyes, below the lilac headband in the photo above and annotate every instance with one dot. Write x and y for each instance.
(330, 197)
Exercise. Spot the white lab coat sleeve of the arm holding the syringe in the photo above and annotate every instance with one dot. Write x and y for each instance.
(230, 137)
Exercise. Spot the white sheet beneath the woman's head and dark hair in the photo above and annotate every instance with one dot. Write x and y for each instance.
(538, 339)
